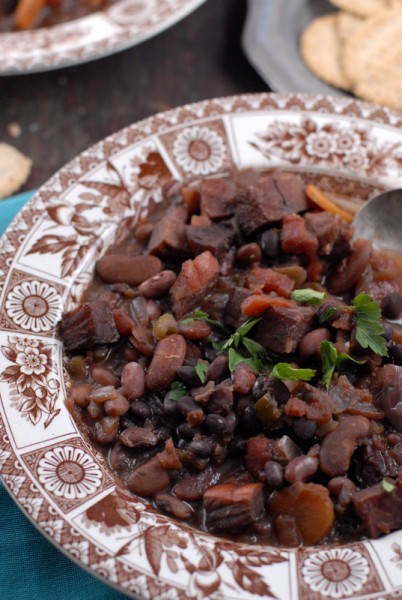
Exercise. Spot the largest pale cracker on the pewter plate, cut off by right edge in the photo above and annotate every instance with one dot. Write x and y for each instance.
(372, 58)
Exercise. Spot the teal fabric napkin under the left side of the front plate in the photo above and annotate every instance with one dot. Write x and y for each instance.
(31, 568)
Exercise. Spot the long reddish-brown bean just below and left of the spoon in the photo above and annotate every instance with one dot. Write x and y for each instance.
(350, 269)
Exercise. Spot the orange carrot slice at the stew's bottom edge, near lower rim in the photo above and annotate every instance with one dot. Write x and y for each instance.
(310, 505)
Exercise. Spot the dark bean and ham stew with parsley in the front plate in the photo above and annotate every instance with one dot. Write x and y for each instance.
(232, 359)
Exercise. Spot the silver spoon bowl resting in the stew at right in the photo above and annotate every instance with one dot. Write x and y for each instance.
(380, 221)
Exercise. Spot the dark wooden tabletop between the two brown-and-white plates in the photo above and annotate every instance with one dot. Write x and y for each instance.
(61, 113)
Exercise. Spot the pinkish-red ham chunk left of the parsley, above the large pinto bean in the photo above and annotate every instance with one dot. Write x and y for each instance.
(195, 280)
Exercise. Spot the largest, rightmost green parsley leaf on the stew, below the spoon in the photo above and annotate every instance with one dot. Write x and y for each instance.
(369, 331)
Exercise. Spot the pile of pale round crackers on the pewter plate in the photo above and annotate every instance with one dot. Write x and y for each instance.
(358, 49)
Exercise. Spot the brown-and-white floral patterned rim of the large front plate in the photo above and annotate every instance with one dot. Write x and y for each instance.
(47, 259)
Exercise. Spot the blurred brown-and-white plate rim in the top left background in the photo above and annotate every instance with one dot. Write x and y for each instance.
(117, 27)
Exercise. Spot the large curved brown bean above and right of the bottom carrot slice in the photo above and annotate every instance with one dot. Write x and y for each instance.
(338, 446)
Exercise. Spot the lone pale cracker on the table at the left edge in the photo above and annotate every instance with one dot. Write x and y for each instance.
(14, 169)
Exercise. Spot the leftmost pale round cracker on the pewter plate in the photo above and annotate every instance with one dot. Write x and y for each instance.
(321, 50)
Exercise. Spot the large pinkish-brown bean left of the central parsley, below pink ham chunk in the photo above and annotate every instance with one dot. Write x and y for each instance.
(168, 357)
